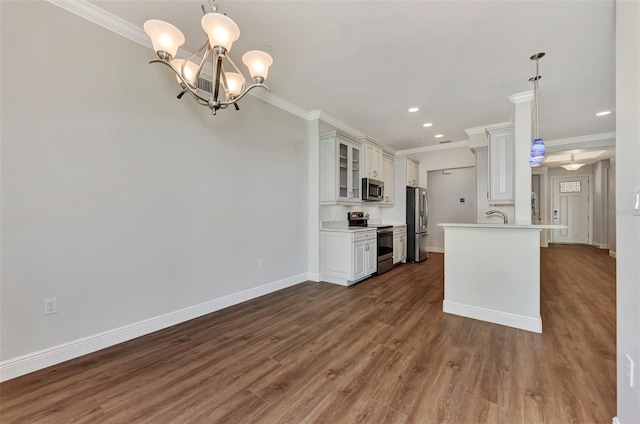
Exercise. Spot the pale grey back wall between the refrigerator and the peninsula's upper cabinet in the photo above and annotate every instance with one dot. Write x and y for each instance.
(443, 196)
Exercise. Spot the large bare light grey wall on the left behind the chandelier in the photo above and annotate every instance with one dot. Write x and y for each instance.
(123, 202)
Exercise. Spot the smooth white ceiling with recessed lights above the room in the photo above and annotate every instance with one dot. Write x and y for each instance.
(367, 62)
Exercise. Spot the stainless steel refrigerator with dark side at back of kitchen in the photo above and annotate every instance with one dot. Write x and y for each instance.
(417, 216)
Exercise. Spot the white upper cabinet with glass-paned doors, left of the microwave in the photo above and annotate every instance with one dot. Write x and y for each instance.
(340, 166)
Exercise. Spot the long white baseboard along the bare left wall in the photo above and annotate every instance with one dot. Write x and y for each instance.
(35, 361)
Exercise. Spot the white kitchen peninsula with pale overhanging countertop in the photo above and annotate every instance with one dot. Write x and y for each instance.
(492, 273)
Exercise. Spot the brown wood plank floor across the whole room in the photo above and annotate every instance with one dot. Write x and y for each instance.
(381, 351)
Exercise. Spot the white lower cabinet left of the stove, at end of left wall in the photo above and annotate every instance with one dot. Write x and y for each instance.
(347, 257)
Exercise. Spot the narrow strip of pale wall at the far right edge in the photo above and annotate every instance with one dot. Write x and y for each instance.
(628, 221)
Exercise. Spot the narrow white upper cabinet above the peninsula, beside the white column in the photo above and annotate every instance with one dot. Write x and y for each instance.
(501, 165)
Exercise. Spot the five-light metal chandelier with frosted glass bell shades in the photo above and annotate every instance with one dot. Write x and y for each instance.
(221, 31)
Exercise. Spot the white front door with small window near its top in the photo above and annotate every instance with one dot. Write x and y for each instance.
(571, 208)
